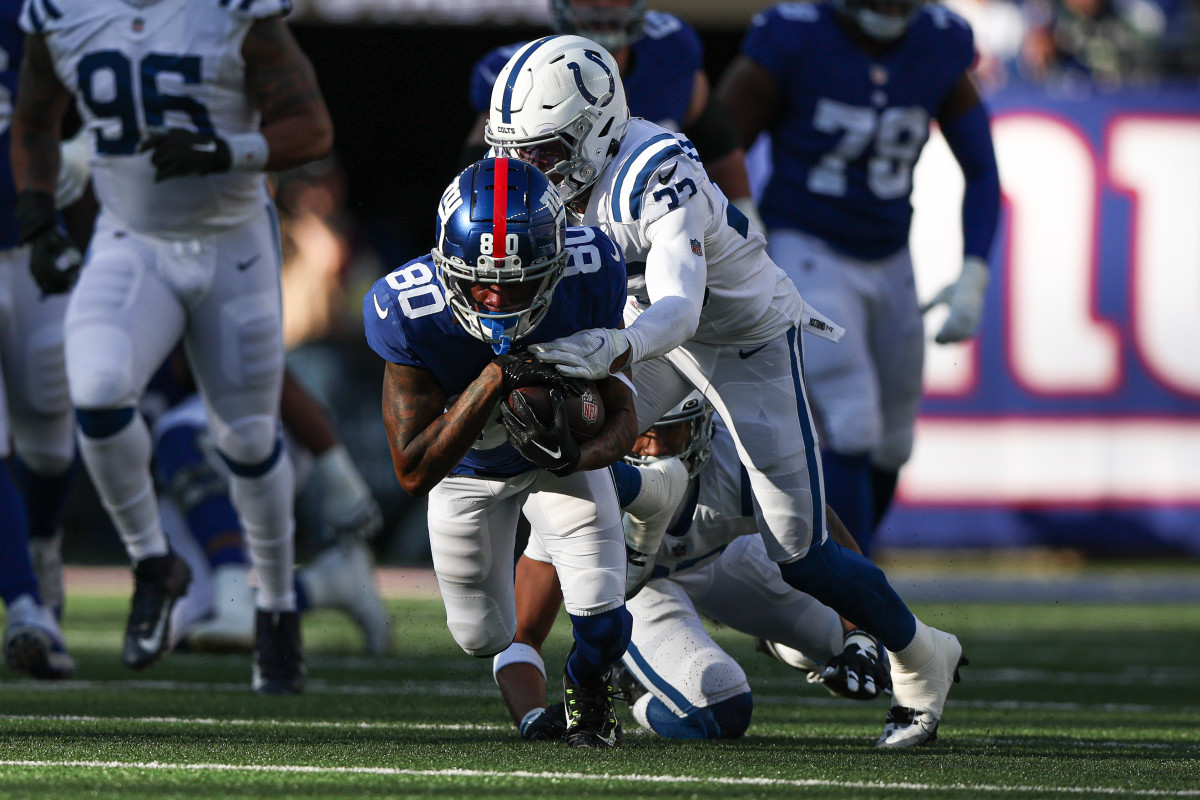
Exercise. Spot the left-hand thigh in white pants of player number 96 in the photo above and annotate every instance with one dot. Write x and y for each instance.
(122, 321)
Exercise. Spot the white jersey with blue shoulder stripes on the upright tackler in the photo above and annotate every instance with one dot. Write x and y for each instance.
(748, 299)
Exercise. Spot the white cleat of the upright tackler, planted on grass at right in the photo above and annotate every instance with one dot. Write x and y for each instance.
(919, 697)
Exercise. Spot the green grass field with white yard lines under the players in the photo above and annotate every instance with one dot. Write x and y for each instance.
(1059, 701)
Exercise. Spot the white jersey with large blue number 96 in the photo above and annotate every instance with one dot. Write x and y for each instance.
(136, 67)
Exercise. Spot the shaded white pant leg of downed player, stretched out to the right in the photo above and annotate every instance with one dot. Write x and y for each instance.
(745, 591)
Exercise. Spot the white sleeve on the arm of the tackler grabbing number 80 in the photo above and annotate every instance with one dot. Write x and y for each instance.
(675, 282)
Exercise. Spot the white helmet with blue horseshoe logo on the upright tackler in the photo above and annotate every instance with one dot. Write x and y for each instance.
(560, 105)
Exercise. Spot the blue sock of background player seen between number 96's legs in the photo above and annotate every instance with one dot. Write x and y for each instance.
(202, 494)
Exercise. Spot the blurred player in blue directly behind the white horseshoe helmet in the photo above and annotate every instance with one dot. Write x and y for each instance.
(662, 63)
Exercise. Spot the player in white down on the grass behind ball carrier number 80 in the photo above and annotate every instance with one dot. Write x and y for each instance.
(712, 563)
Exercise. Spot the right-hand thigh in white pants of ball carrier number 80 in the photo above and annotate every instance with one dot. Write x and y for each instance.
(578, 521)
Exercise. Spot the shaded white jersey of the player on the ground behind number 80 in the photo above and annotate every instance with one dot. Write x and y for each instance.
(723, 512)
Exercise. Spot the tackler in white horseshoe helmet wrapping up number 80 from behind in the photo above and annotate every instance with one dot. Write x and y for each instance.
(716, 315)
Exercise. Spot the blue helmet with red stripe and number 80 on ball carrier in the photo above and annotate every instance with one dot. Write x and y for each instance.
(501, 224)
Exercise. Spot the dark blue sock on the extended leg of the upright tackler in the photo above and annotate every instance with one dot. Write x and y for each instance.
(856, 590)
